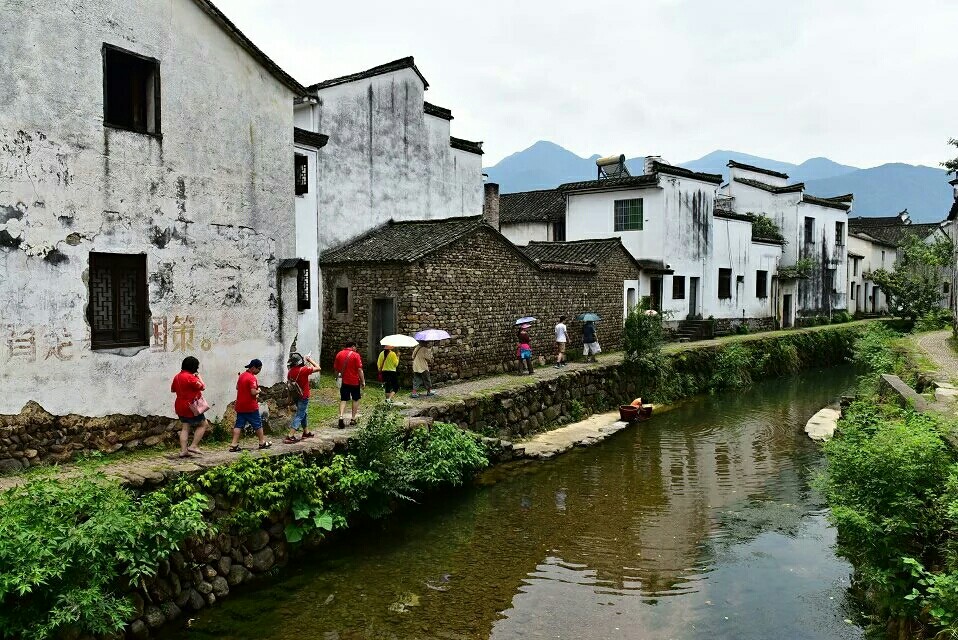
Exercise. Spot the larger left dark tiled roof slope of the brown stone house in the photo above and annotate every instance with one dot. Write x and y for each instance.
(403, 241)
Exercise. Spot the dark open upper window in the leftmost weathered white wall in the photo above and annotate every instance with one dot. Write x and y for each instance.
(131, 91)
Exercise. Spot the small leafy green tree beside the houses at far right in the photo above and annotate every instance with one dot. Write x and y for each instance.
(914, 287)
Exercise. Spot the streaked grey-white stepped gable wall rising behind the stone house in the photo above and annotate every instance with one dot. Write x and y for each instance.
(387, 159)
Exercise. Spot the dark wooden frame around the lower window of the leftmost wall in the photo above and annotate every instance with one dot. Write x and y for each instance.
(118, 337)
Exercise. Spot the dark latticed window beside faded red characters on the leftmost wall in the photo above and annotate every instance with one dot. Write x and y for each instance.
(117, 309)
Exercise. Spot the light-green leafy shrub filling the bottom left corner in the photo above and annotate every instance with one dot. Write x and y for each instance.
(68, 547)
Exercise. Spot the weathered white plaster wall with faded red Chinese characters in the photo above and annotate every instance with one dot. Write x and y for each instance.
(210, 205)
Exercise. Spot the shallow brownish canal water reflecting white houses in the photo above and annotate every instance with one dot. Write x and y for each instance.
(697, 524)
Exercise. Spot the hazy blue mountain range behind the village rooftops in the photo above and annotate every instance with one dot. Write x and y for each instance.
(879, 191)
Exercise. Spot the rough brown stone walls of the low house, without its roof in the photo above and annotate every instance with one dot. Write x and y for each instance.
(475, 289)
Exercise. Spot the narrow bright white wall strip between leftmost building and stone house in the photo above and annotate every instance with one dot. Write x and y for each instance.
(307, 239)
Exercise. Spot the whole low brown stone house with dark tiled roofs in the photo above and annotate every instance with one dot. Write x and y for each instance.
(460, 274)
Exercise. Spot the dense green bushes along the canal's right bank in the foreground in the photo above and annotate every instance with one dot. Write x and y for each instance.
(892, 484)
